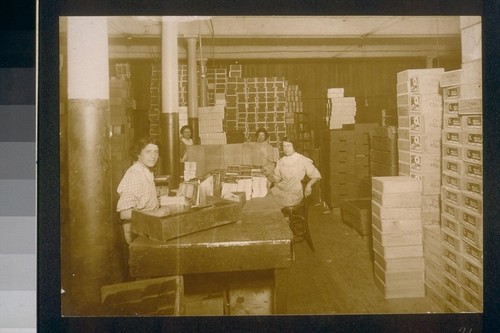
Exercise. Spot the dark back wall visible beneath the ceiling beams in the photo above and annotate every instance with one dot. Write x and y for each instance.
(370, 80)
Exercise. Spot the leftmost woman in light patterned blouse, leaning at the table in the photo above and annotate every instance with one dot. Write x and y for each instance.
(137, 188)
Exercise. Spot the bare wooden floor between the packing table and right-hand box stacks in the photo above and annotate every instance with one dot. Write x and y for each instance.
(338, 277)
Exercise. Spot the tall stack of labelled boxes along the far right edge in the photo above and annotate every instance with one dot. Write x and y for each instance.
(462, 186)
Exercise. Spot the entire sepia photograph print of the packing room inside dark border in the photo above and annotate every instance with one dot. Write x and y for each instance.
(270, 165)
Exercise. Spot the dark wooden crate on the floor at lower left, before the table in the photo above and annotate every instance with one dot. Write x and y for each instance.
(151, 297)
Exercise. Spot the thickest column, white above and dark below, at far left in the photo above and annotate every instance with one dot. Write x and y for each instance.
(93, 261)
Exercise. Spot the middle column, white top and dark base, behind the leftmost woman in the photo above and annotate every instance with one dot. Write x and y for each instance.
(169, 117)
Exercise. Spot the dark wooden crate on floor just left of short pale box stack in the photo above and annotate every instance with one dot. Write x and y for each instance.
(357, 214)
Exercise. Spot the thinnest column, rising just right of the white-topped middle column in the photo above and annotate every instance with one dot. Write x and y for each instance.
(192, 88)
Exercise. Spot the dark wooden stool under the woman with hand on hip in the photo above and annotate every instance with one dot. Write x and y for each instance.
(299, 222)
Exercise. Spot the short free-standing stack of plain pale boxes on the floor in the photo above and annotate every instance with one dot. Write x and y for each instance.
(397, 236)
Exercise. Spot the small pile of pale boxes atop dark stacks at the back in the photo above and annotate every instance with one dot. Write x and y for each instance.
(340, 110)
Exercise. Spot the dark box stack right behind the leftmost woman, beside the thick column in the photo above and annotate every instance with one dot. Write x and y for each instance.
(121, 128)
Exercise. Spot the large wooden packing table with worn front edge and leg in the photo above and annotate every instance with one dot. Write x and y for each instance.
(262, 240)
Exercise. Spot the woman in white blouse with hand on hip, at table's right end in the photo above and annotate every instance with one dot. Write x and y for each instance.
(289, 173)
